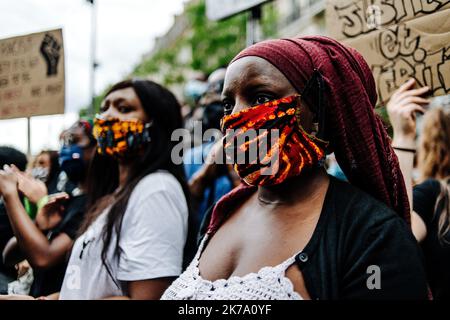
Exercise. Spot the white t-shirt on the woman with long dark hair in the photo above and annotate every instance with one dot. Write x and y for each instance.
(153, 234)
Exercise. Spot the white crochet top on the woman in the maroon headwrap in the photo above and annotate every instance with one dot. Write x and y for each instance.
(269, 283)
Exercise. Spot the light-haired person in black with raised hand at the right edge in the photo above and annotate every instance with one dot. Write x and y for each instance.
(430, 198)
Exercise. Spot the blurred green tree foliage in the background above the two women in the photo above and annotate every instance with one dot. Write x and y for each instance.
(213, 45)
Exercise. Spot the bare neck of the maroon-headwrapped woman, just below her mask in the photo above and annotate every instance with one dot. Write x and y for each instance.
(304, 187)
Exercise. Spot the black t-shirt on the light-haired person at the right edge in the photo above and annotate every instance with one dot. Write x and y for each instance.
(437, 253)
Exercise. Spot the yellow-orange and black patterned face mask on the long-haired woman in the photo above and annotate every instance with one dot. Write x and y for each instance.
(120, 139)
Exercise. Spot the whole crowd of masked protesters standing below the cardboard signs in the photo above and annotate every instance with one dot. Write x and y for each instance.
(332, 208)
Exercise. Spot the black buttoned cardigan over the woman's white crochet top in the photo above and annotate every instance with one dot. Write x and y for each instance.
(358, 245)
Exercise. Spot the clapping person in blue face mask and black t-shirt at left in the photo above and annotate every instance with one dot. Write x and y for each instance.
(46, 242)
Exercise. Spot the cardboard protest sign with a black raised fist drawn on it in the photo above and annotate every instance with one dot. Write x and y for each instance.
(32, 75)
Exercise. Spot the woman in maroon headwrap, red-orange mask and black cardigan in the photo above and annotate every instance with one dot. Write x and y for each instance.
(290, 231)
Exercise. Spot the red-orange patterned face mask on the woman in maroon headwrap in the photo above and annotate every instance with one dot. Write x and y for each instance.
(282, 147)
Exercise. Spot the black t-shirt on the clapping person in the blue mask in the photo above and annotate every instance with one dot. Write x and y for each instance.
(50, 280)
